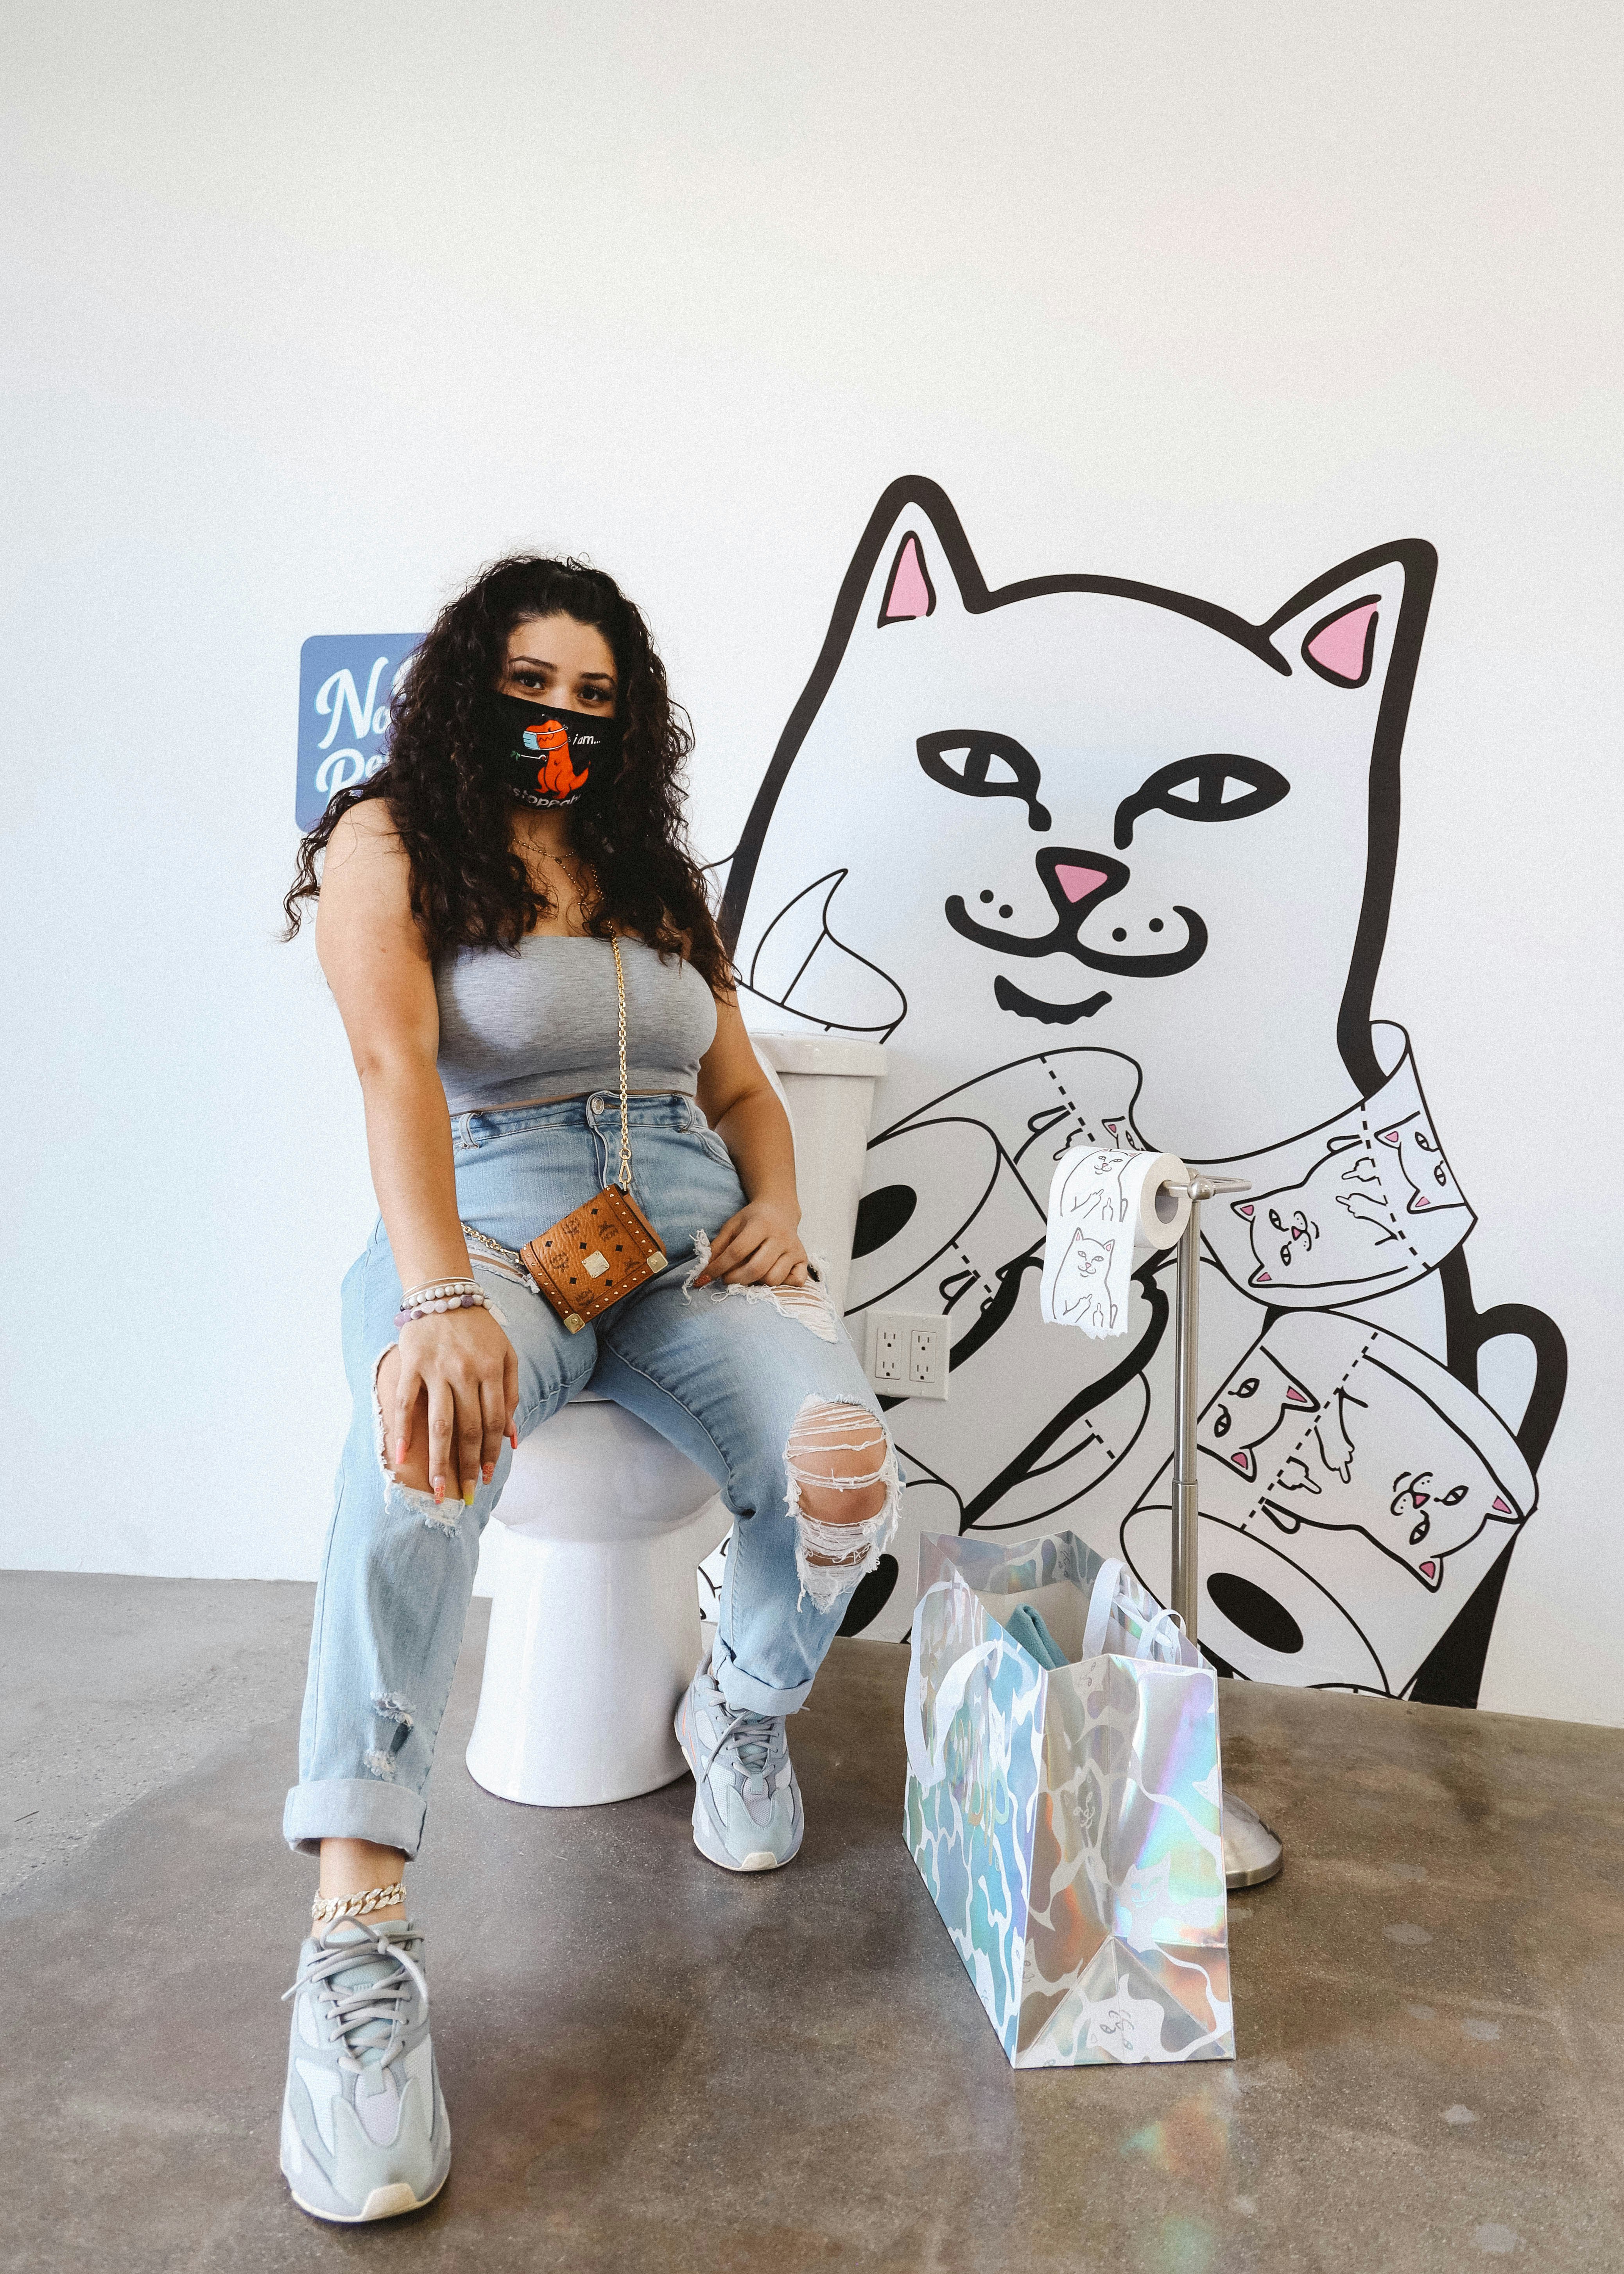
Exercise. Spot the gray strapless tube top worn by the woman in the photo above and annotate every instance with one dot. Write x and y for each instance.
(542, 1024)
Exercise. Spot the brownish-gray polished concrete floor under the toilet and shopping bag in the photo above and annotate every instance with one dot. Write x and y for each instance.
(661, 2068)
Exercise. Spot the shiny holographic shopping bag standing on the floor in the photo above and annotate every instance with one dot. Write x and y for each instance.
(1070, 1823)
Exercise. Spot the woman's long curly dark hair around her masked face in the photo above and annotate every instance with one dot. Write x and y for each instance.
(454, 815)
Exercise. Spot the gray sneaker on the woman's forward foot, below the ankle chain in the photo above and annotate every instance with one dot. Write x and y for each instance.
(365, 2130)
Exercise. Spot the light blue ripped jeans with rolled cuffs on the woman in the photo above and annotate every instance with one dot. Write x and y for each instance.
(749, 1386)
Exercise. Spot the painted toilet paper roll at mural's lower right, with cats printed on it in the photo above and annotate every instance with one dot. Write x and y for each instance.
(1352, 1497)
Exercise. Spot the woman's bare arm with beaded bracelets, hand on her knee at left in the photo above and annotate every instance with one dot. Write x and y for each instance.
(383, 984)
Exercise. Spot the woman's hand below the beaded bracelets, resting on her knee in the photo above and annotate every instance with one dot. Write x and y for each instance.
(454, 1400)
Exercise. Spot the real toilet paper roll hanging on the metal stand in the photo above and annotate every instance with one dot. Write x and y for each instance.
(1104, 1209)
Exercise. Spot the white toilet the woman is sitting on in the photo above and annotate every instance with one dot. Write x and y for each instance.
(595, 1611)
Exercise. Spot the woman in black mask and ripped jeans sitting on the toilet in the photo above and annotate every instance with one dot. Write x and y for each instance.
(531, 815)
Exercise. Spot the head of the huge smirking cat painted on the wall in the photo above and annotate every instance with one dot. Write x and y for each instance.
(1086, 808)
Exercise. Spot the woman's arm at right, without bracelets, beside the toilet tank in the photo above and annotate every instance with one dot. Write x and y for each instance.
(761, 1243)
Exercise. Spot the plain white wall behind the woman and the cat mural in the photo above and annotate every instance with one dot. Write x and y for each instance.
(310, 310)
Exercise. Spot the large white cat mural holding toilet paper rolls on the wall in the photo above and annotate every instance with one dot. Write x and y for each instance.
(1109, 865)
